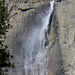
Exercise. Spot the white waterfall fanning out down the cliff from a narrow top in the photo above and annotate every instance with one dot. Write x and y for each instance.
(36, 55)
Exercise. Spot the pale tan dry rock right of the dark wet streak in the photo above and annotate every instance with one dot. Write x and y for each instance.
(66, 28)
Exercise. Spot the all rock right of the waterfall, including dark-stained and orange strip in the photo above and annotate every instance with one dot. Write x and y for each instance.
(63, 32)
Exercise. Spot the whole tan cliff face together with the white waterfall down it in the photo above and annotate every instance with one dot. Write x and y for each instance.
(41, 37)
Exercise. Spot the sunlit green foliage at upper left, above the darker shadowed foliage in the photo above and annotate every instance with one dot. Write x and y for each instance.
(3, 17)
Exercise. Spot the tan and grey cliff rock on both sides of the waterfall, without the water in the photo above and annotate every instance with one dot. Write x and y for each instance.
(61, 35)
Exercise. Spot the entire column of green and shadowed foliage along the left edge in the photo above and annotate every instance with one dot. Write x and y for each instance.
(4, 53)
